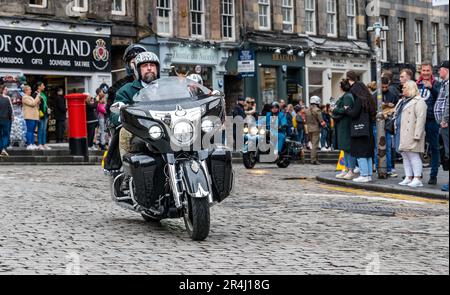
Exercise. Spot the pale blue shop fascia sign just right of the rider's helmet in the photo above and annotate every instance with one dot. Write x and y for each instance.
(186, 55)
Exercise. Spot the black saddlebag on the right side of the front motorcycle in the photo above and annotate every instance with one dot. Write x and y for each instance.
(221, 169)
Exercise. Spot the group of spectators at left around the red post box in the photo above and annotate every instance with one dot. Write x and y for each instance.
(36, 112)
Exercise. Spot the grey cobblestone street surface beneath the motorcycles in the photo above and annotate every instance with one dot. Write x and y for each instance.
(277, 222)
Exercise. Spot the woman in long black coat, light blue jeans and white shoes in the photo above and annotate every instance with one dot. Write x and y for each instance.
(363, 116)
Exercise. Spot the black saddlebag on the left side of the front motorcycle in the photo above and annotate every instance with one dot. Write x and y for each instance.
(148, 177)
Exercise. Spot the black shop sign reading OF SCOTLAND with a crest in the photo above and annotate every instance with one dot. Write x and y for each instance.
(54, 51)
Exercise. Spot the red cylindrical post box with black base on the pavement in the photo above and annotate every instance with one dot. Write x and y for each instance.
(76, 103)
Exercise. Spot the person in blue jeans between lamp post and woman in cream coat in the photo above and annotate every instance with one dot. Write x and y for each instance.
(390, 100)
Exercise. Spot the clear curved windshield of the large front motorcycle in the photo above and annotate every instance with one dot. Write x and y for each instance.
(173, 88)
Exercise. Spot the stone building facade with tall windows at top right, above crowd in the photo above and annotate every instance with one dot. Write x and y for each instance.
(418, 32)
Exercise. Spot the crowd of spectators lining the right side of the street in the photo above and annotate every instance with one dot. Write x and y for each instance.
(416, 119)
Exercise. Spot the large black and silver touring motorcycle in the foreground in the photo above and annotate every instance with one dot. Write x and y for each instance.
(173, 171)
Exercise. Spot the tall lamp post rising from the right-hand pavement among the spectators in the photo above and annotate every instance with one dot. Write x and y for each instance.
(381, 132)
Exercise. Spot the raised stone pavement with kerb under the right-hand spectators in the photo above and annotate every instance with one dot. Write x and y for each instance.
(391, 185)
